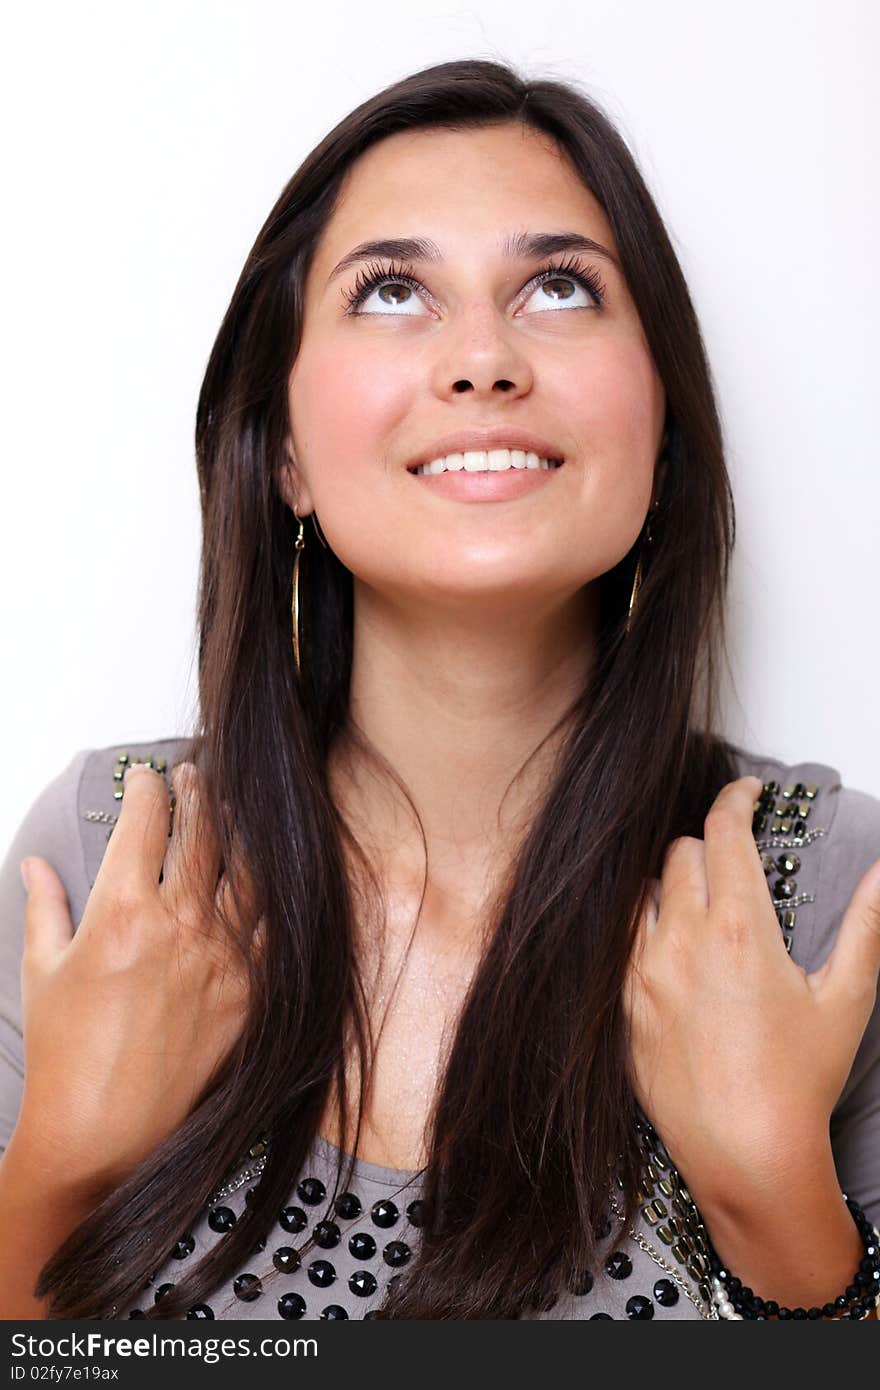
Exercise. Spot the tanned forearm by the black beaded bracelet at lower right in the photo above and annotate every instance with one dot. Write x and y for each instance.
(789, 1236)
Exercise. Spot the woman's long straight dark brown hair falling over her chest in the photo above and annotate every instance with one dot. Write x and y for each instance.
(521, 1135)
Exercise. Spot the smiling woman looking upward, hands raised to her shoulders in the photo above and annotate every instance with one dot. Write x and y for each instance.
(461, 882)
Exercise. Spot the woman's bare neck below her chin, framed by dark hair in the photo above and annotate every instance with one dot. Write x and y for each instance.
(457, 703)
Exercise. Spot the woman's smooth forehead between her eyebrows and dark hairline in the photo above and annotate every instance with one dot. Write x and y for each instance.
(461, 188)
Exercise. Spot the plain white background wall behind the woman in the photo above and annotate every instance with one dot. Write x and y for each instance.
(147, 145)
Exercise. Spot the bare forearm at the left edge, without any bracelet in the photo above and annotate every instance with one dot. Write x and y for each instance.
(35, 1221)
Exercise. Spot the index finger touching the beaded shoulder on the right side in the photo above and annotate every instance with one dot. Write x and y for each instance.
(733, 864)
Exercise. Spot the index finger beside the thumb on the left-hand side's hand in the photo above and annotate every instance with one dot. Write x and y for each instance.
(140, 839)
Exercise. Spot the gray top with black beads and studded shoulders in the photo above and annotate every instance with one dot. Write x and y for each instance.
(333, 1253)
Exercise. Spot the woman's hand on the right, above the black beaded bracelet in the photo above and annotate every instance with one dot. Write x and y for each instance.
(740, 1056)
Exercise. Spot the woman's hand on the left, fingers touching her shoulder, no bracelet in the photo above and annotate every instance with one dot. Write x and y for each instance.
(127, 1020)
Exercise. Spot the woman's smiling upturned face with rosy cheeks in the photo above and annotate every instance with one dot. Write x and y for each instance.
(480, 344)
